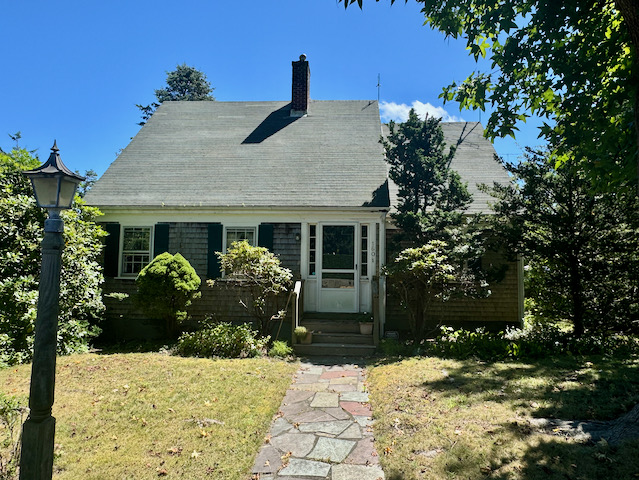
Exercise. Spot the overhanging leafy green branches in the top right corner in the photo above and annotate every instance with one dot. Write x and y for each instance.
(573, 63)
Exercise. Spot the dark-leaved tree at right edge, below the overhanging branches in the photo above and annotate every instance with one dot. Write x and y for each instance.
(575, 241)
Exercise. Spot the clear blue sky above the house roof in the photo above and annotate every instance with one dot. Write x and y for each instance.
(74, 70)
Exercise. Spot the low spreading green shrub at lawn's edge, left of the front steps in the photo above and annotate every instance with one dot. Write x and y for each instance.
(222, 340)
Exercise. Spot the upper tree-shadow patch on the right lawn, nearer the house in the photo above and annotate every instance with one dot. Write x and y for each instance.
(566, 388)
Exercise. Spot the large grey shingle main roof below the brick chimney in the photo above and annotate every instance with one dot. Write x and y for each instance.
(217, 154)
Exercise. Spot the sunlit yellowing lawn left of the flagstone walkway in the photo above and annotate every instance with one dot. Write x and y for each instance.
(150, 415)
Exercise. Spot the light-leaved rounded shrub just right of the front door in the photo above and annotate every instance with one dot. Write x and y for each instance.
(423, 277)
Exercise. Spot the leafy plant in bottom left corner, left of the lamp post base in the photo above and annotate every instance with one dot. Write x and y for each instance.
(12, 411)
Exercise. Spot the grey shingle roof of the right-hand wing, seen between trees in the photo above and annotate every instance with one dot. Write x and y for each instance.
(474, 160)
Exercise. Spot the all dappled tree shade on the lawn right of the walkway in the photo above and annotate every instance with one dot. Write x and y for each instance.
(566, 388)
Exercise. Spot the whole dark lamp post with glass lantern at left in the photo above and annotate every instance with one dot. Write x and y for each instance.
(54, 186)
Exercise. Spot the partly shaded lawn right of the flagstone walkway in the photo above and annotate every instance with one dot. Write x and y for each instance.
(445, 419)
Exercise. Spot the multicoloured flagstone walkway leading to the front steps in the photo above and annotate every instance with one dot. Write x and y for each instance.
(323, 430)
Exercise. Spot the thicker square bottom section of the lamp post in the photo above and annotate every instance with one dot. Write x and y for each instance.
(36, 460)
